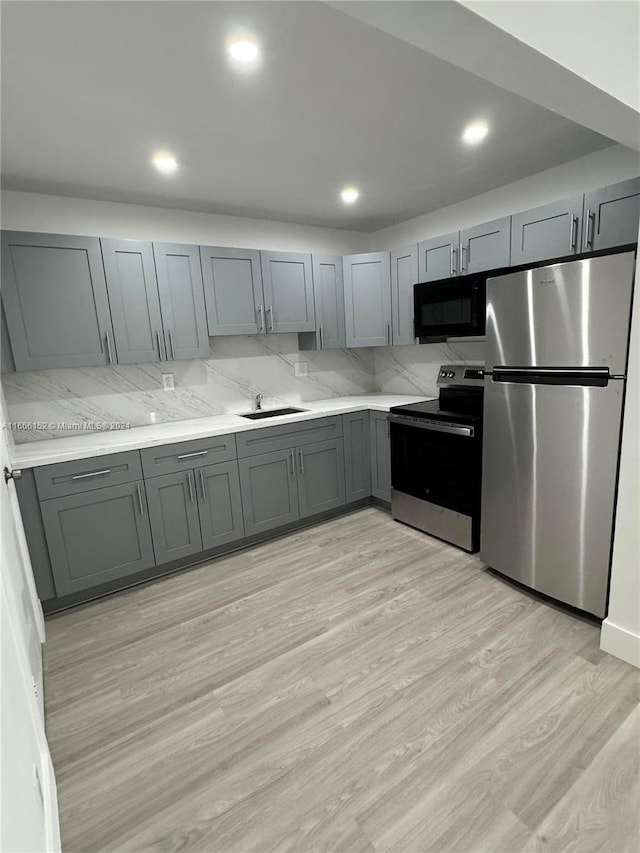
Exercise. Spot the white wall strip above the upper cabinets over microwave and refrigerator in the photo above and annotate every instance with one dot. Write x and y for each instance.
(608, 166)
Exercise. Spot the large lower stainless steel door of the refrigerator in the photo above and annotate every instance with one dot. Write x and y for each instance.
(550, 456)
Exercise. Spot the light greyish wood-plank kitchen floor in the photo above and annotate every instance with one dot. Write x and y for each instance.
(356, 686)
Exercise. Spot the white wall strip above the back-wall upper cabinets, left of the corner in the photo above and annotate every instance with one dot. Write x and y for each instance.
(61, 215)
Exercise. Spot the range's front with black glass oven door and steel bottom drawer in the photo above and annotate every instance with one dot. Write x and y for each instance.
(436, 472)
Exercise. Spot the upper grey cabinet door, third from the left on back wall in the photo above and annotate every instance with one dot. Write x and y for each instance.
(181, 300)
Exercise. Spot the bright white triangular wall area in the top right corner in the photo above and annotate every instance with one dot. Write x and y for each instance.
(573, 34)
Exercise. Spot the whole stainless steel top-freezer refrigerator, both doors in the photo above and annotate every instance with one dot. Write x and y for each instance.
(556, 357)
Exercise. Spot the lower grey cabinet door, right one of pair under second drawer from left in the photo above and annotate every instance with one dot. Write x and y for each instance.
(220, 504)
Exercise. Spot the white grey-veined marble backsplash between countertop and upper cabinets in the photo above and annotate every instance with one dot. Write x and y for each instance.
(52, 403)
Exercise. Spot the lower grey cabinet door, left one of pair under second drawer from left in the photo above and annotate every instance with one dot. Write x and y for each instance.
(173, 512)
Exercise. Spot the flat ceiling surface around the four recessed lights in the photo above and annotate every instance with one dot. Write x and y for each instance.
(91, 90)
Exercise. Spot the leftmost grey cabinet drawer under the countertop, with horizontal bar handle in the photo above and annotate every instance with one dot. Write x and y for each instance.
(83, 475)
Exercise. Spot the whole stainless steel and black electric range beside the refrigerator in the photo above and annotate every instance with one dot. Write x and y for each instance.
(436, 458)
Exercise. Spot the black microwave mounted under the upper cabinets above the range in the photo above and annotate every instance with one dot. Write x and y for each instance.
(451, 307)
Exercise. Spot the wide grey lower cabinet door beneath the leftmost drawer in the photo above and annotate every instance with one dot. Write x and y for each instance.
(97, 536)
